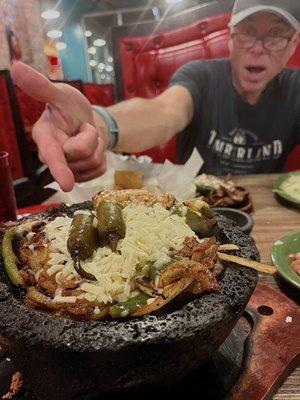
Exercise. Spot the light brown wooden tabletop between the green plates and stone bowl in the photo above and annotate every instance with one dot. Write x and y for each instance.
(272, 221)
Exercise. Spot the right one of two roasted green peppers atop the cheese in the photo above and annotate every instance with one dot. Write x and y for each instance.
(111, 225)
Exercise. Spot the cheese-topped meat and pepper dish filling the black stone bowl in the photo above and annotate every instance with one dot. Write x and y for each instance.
(130, 256)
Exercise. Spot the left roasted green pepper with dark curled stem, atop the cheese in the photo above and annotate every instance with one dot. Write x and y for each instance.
(82, 241)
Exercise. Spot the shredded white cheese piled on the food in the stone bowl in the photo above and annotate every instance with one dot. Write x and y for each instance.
(150, 234)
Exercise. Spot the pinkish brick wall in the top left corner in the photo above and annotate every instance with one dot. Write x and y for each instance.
(26, 20)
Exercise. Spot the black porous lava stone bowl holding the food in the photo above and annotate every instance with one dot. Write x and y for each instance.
(66, 359)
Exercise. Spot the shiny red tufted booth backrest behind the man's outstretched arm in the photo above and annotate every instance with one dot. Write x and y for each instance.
(149, 62)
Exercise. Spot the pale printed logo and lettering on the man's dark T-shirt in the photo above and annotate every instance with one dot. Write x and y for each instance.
(241, 145)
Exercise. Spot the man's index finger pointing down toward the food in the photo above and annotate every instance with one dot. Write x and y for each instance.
(51, 151)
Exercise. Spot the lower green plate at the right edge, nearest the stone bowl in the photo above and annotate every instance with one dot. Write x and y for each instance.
(280, 252)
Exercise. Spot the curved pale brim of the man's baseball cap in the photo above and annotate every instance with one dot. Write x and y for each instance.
(240, 16)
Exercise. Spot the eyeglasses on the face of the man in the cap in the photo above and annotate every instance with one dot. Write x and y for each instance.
(270, 43)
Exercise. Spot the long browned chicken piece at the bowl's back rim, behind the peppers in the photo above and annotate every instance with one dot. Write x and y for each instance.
(133, 196)
